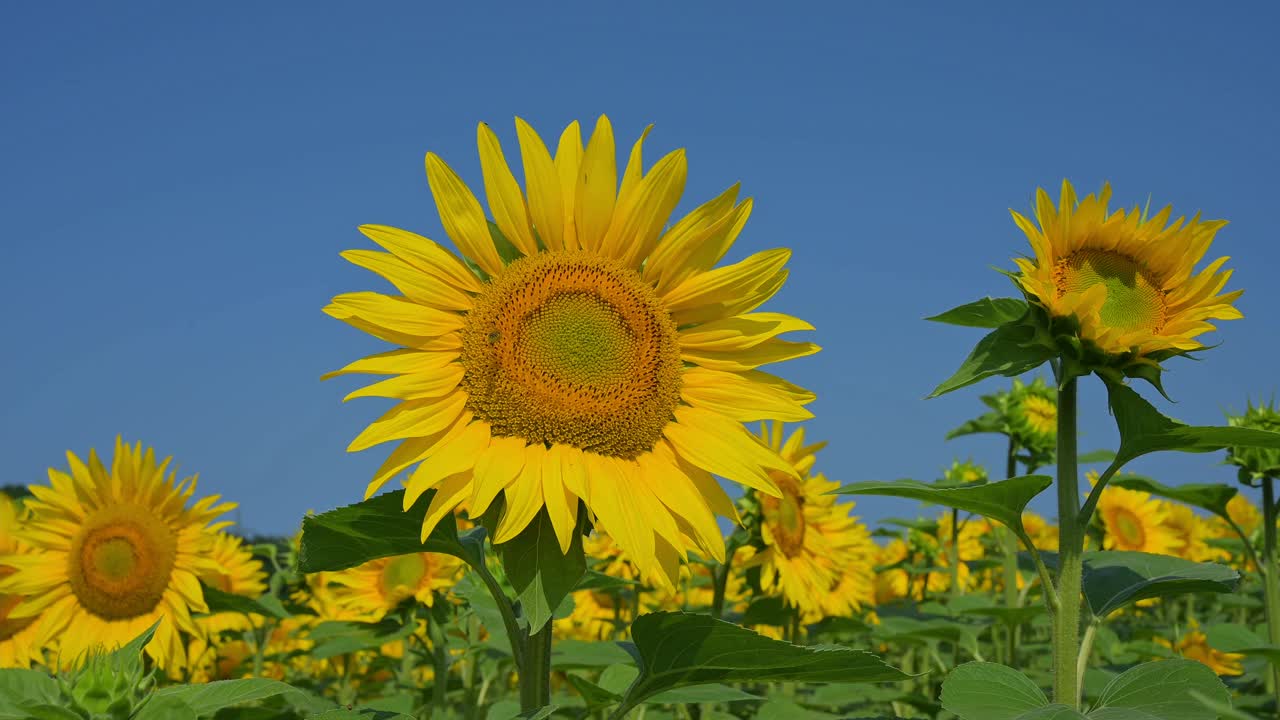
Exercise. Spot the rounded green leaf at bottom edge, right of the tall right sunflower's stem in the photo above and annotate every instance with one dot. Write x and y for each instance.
(1162, 691)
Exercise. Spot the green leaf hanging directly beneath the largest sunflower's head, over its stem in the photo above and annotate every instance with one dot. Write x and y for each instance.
(540, 572)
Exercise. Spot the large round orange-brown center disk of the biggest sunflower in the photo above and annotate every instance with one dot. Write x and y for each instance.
(573, 349)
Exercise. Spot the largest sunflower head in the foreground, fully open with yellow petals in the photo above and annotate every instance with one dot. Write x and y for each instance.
(578, 350)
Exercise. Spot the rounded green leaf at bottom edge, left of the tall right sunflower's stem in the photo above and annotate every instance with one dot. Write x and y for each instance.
(988, 691)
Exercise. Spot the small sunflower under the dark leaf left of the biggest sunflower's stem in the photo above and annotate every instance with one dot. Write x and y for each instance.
(378, 587)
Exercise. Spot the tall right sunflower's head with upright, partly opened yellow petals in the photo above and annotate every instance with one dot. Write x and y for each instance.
(1128, 280)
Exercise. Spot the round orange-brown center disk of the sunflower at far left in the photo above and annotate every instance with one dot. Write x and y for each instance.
(121, 563)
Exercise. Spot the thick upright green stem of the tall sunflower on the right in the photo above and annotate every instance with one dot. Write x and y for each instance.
(1067, 619)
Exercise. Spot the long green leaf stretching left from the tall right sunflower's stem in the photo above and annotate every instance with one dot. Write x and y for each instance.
(1002, 502)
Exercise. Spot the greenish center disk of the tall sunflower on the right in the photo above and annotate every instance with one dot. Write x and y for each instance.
(1135, 300)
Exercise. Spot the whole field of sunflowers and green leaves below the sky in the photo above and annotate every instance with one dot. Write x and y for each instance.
(600, 504)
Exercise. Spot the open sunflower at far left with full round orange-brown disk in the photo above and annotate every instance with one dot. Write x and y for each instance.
(122, 550)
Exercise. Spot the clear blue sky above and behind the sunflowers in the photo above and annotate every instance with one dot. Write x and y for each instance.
(179, 181)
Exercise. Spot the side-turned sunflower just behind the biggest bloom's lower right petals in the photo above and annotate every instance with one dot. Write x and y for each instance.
(808, 539)
